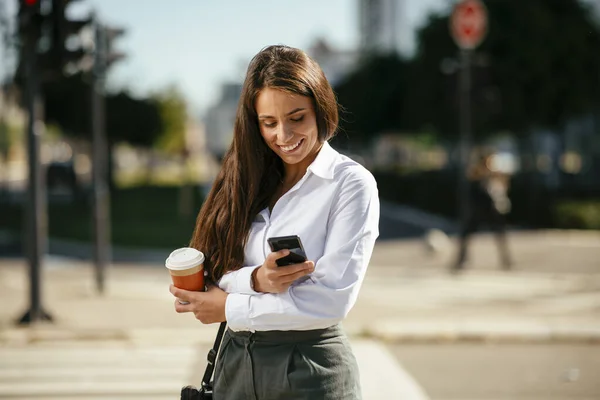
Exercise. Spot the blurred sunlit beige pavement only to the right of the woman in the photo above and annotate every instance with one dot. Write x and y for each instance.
(552, 294)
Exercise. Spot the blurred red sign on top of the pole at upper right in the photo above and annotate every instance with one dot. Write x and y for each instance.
(468, 23)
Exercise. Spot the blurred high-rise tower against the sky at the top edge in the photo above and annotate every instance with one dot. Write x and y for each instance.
(383, 26)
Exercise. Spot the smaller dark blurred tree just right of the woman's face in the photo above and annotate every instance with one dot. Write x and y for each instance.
(372, 98)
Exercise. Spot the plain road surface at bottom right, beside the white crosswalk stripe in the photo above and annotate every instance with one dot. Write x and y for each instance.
(491, 371)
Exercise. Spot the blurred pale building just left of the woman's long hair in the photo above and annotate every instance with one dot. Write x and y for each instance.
(220, 118)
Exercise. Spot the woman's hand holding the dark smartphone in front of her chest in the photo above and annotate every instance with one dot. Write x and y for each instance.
(269, 278)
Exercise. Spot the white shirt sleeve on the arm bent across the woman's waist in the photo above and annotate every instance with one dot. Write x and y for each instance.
(332, 290)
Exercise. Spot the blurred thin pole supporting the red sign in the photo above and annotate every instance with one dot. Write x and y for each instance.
(465, 134)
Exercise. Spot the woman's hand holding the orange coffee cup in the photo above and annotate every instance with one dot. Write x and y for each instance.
(208, 307)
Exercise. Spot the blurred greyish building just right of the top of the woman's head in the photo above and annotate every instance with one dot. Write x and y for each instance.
(335, 63)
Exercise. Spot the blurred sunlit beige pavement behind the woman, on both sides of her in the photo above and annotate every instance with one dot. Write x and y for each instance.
(408, 294)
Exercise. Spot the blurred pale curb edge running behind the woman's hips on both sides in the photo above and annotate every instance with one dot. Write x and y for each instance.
(386, 332)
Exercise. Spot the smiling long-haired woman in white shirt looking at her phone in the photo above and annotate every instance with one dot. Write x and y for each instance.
(280, 177)
